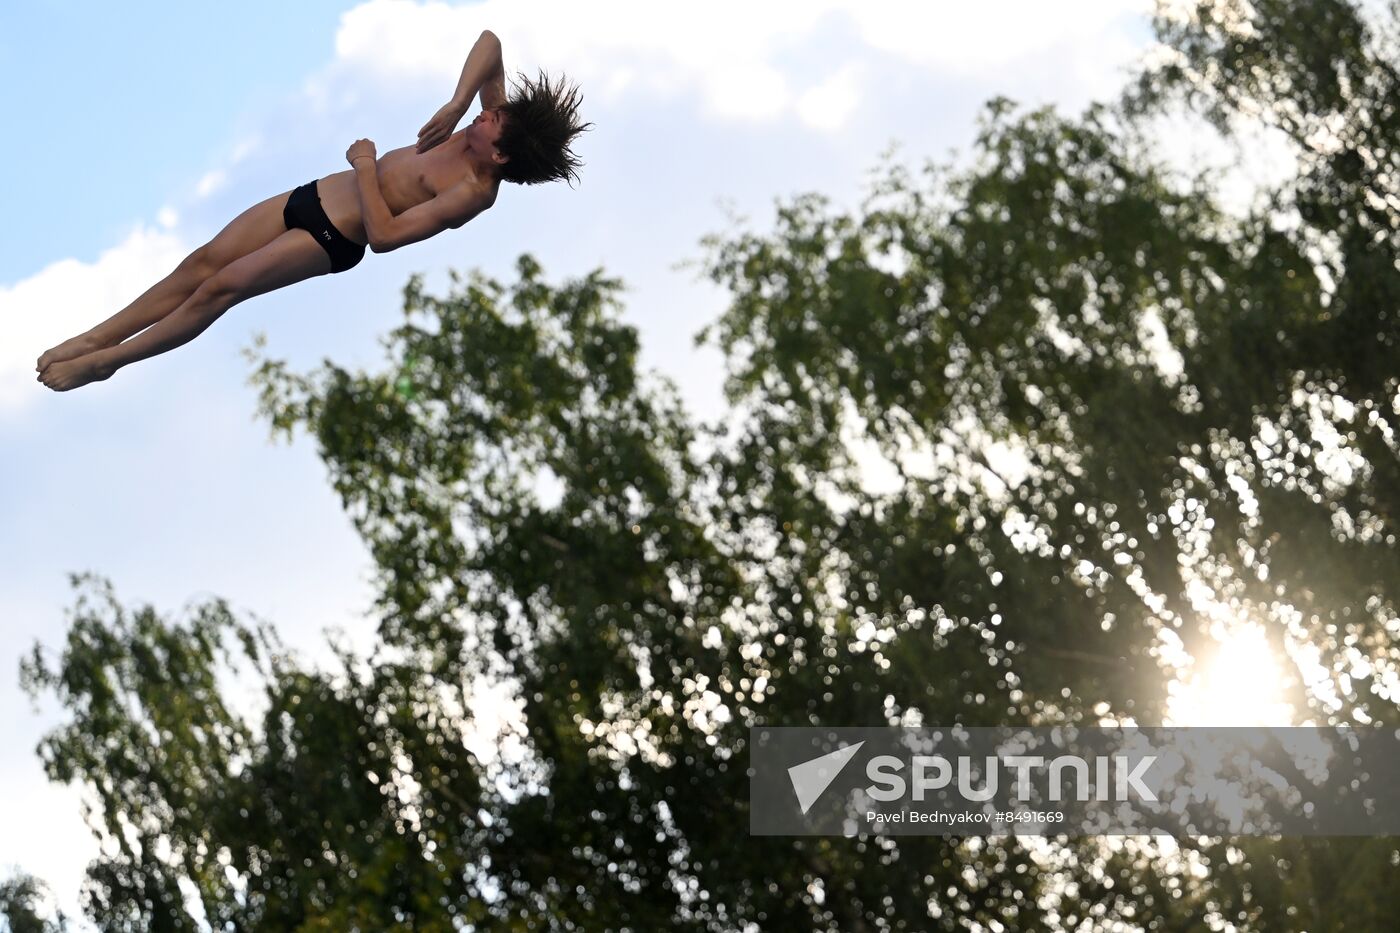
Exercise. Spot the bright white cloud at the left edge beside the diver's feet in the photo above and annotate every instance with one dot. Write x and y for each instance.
(69, 296)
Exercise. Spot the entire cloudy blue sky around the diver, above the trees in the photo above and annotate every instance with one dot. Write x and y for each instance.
(143, 128)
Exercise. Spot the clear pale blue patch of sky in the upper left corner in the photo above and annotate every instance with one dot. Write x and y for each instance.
(128, 102)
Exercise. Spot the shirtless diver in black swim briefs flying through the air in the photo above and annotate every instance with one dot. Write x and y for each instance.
(325, 226)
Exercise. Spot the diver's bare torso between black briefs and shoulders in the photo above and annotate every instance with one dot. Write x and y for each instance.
(407, 179)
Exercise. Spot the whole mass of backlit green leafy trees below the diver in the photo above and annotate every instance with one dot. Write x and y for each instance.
(1199, 413)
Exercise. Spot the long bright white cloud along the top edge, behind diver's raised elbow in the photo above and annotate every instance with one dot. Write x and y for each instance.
(733, 55)
